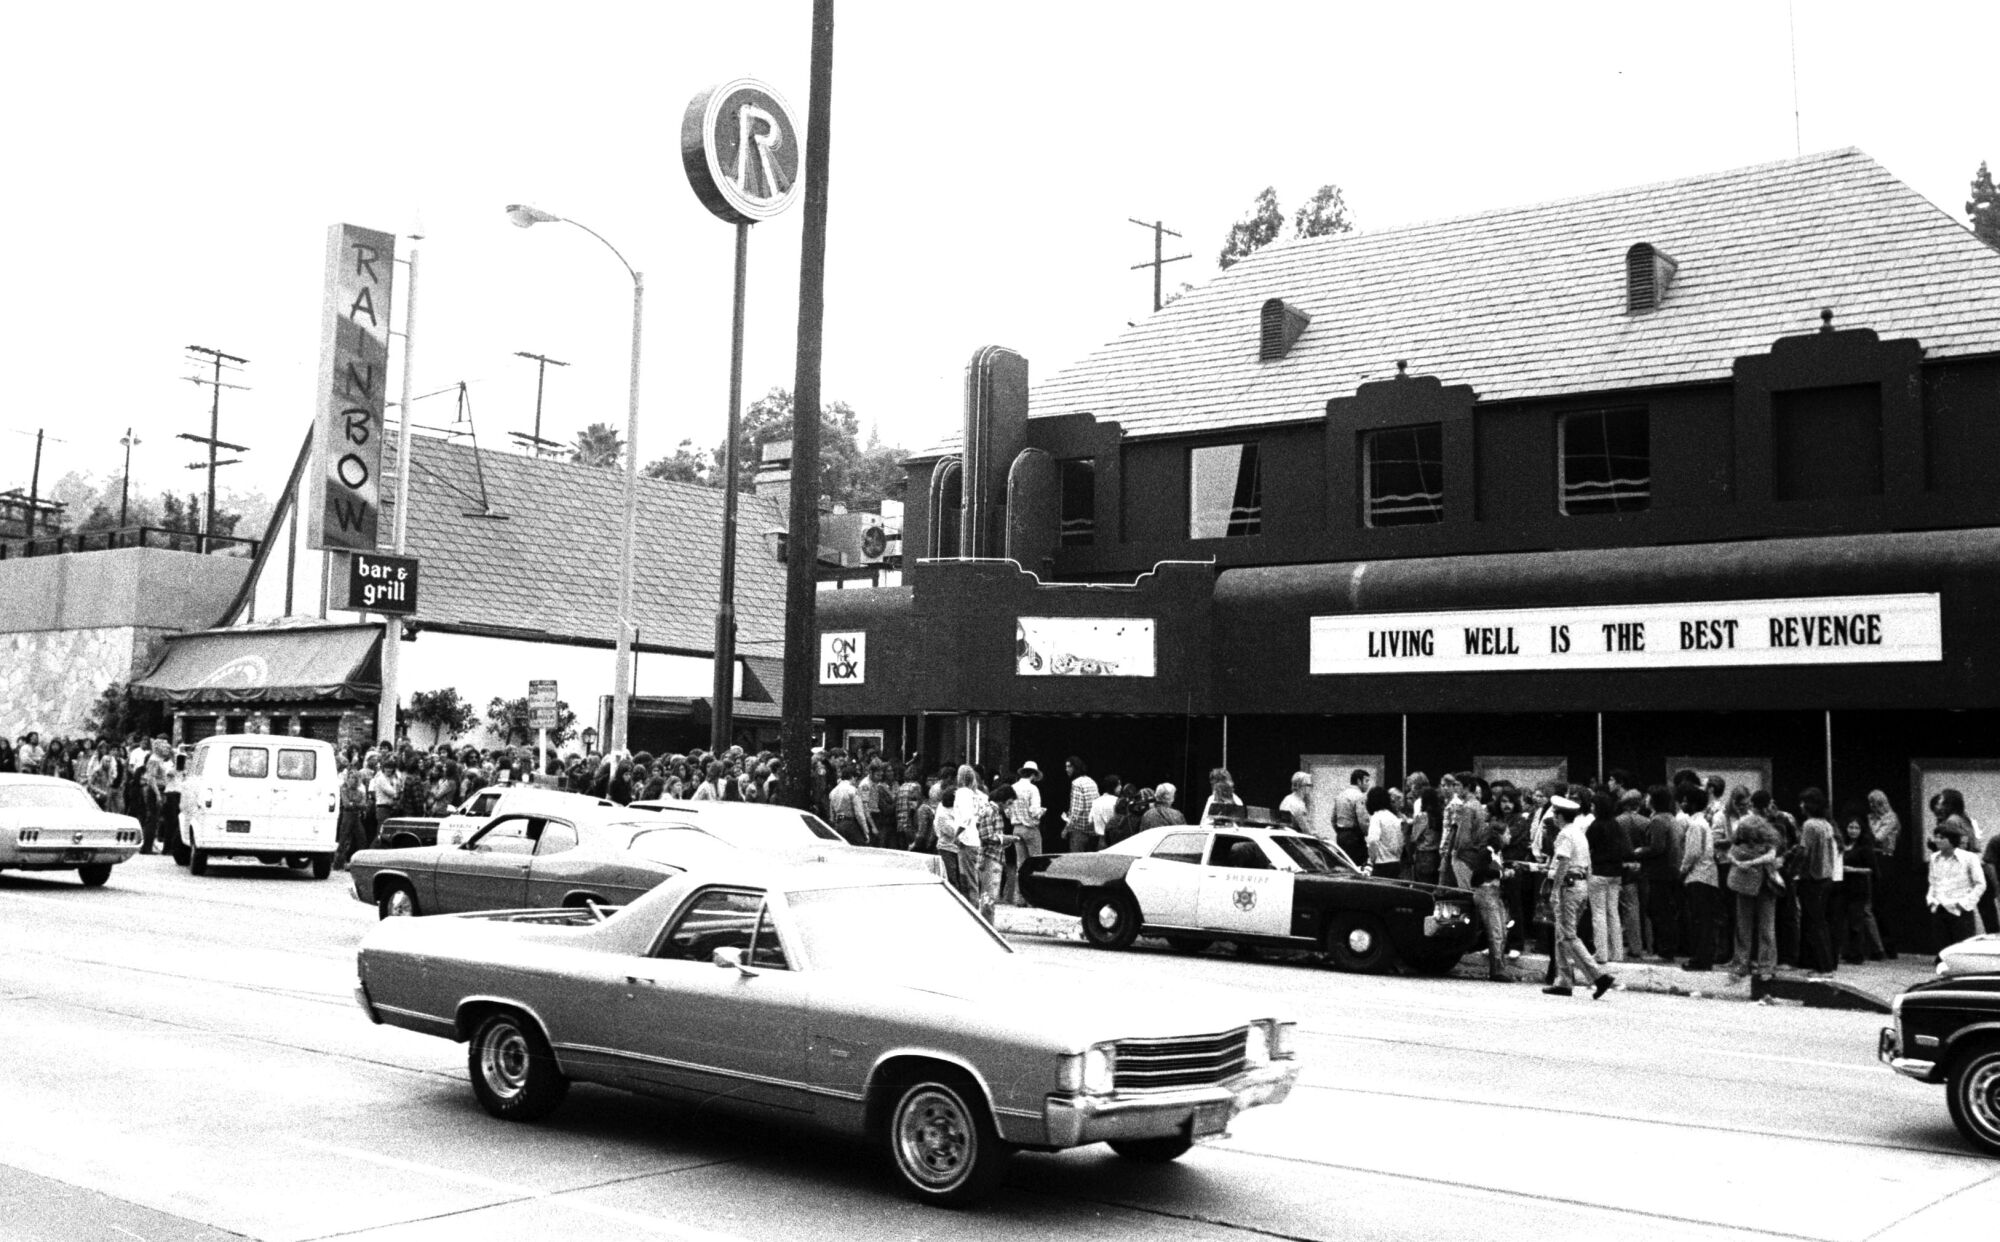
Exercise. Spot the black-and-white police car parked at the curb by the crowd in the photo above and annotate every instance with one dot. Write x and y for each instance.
(1253, 887)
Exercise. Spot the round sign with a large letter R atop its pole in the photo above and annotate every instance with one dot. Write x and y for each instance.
(741, 149)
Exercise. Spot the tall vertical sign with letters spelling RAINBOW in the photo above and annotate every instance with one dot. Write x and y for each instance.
(347, 451)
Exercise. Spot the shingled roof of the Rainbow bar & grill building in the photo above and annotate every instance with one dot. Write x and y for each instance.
(553, 563)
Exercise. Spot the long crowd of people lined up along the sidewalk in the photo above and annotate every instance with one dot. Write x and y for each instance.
(1693, 873)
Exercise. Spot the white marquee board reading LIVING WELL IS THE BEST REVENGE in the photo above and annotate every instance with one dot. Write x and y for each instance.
(1823, 631)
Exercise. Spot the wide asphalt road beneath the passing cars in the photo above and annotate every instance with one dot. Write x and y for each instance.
(185, 1063)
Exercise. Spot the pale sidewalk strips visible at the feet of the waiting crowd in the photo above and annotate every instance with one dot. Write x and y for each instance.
(1869, 985)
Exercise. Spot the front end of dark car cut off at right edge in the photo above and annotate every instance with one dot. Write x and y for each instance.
(1949, 1031)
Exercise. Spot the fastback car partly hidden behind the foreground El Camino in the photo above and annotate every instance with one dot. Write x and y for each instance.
(531, 859)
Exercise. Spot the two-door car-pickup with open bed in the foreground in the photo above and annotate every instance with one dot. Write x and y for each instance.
(863, 1001)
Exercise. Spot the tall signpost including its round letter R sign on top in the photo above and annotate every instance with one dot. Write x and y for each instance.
(741, 151)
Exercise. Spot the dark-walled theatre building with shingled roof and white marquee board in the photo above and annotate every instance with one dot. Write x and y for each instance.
(1689, 475)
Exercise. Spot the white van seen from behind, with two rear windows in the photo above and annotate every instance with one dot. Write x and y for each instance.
(267, 797)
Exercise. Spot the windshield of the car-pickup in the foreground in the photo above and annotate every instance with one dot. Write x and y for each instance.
(895, 925)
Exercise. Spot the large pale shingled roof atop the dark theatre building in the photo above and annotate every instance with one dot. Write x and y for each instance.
(1529, 303)
